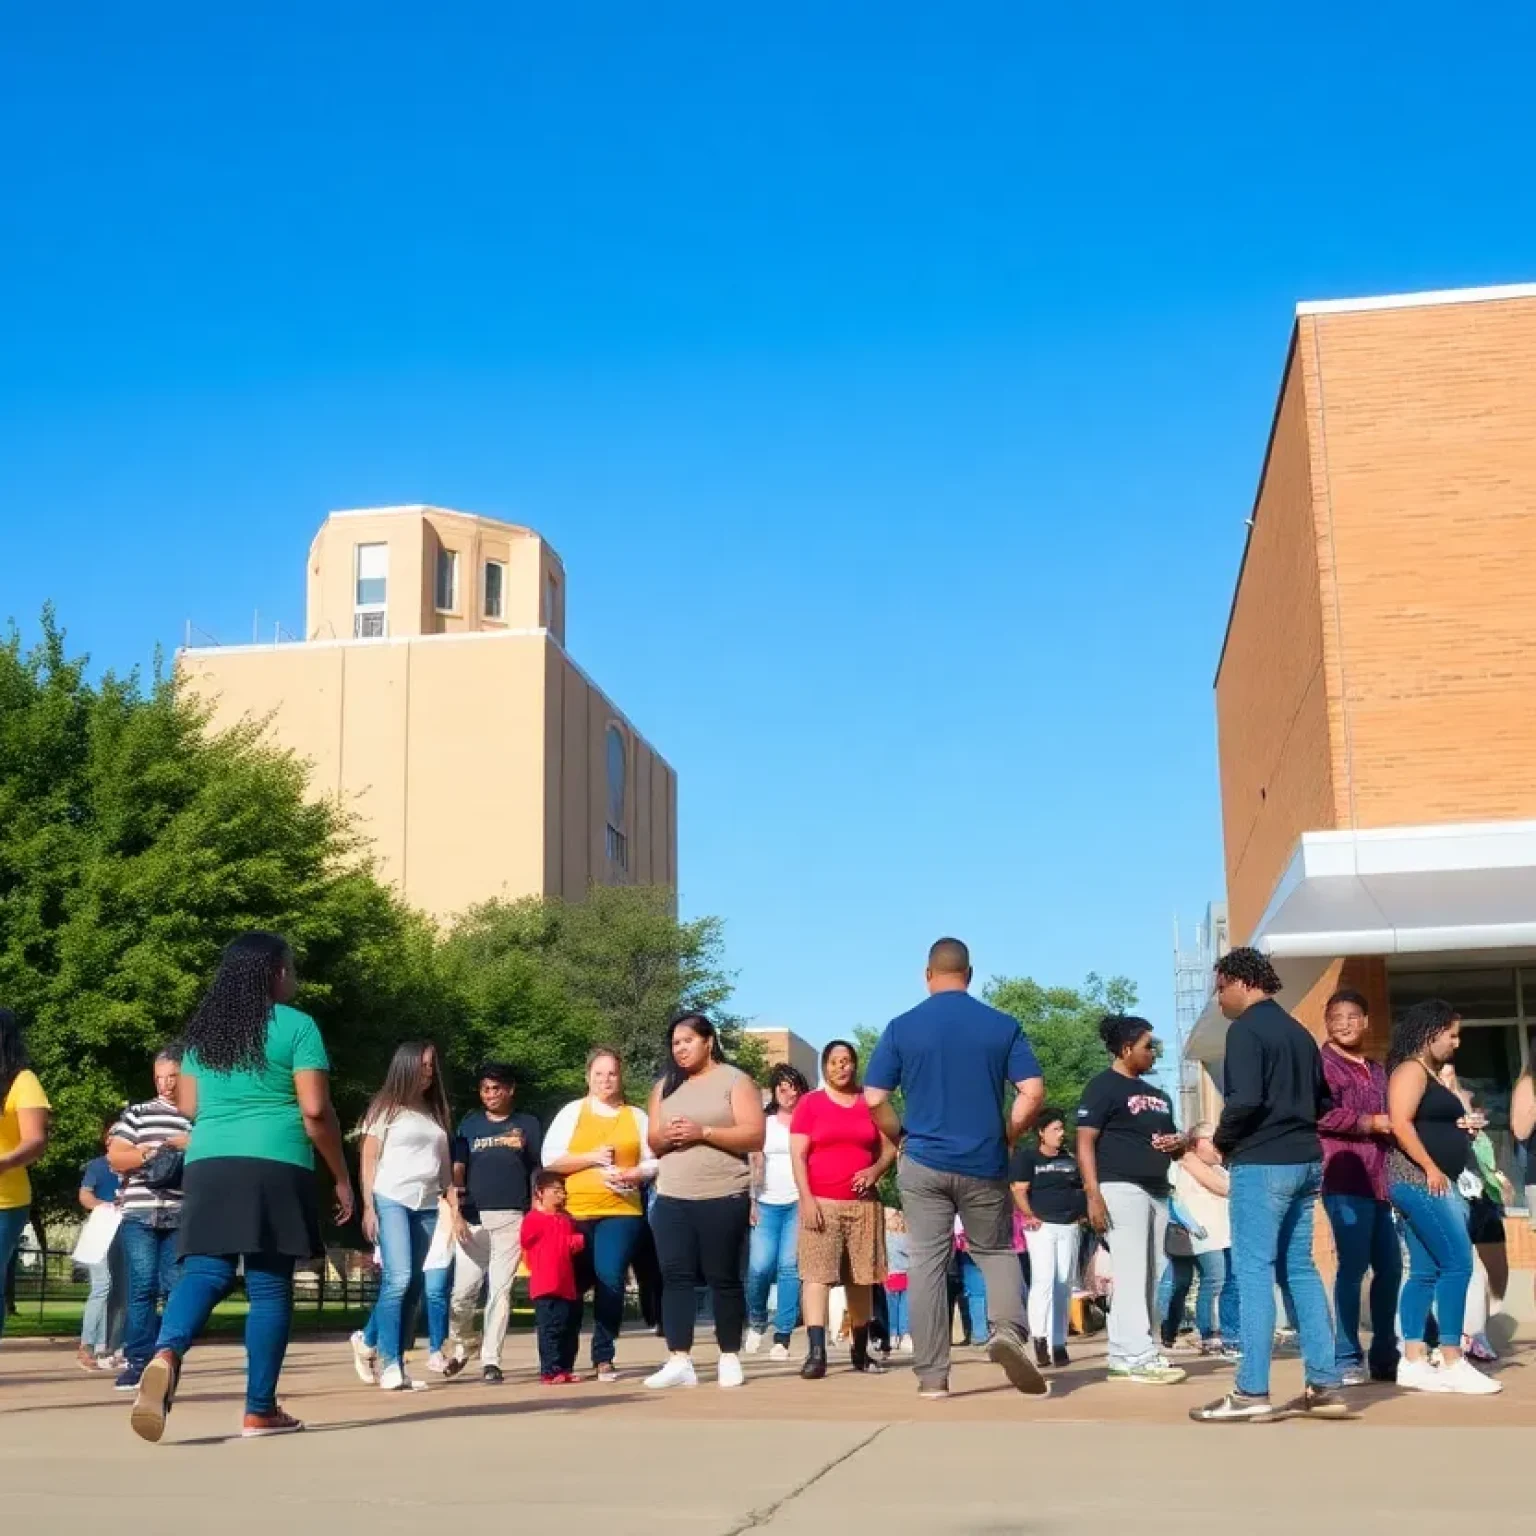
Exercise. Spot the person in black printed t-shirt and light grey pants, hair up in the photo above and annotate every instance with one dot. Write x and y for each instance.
(1127, 1142)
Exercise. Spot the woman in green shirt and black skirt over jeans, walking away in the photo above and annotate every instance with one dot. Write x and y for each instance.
(256, 1084)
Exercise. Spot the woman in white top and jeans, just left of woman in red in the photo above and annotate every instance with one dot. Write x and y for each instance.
(773, 1257)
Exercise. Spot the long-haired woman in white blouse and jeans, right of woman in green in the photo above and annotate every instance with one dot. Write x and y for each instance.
(406, 1173)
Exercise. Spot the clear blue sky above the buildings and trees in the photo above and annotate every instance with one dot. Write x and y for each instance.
(893, 380)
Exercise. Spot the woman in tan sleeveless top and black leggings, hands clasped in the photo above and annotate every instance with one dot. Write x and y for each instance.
(704, 1121)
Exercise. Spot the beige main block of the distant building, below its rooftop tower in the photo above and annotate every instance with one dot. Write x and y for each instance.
(475, 764)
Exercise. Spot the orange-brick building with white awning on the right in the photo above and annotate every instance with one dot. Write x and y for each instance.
(1377, 689)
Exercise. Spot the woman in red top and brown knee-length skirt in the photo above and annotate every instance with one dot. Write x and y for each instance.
(839, 1154)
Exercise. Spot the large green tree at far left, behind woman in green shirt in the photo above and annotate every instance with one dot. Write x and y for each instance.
(133, 849)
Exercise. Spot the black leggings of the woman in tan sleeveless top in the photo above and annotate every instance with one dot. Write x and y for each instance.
(703, 1240)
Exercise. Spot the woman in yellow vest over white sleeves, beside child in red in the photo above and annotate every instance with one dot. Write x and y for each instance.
(600, 1145)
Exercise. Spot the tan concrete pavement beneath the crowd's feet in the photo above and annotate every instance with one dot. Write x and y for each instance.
(781, 1455)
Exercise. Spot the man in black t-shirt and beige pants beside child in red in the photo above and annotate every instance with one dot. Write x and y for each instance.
(495, 1157)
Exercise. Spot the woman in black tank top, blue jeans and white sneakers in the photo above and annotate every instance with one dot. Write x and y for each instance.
(1423, 1170)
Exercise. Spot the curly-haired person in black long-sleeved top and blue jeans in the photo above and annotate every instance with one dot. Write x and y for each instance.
(1274, 1096)
